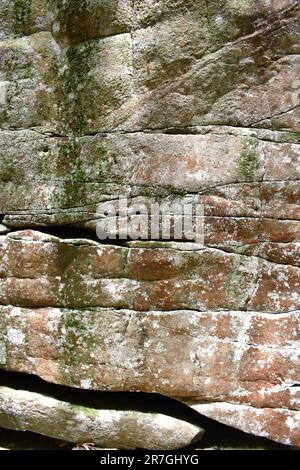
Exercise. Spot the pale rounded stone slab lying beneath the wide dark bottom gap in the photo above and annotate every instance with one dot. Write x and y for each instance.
(28, 411)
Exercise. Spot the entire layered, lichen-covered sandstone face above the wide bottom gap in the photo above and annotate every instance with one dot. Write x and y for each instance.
(164, 100)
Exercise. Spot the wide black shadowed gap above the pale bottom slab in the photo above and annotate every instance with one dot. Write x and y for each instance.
(139, 401)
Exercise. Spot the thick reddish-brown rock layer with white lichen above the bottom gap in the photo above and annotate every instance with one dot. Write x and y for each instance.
(77, 314)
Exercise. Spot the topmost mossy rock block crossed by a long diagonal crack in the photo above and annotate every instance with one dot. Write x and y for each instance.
(185, 64)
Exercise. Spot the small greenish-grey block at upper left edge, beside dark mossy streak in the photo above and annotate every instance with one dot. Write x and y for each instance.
(27, 82)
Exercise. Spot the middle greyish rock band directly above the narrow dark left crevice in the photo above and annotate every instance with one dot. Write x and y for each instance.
(73, 176)
